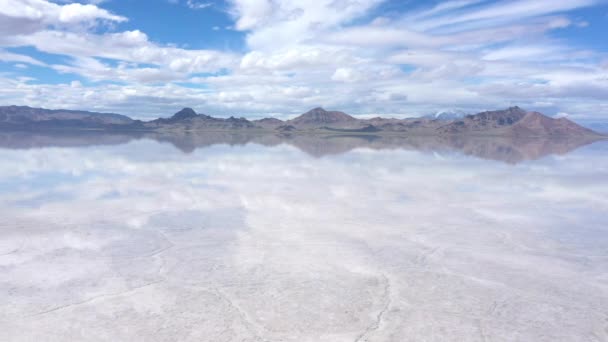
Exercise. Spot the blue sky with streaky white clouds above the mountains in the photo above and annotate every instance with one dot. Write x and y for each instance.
(256, 58)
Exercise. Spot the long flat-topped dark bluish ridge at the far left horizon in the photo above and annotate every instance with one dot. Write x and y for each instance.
(28, 116)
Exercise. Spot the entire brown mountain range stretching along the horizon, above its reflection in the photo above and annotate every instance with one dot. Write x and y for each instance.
(510, 122)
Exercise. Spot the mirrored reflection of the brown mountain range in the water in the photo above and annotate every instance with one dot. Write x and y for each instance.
(505, 149)
